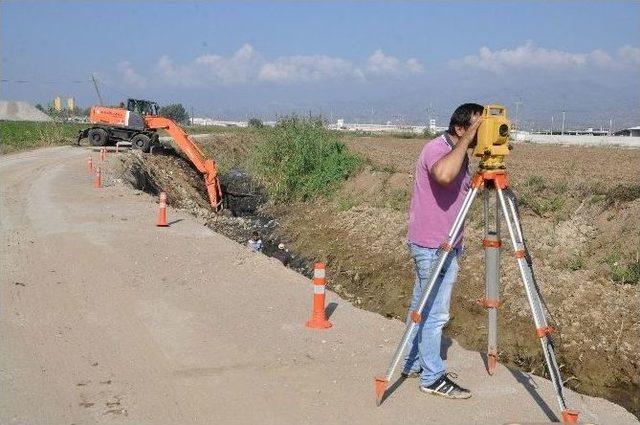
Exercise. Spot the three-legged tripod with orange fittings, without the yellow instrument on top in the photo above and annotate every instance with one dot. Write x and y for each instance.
(493, 181)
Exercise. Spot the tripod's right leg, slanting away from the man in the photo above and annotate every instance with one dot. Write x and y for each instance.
(543, 330)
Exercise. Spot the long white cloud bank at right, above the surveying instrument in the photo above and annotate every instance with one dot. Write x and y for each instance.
(532, 56)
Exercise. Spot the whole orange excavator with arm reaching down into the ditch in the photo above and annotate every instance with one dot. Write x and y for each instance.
(138, 123)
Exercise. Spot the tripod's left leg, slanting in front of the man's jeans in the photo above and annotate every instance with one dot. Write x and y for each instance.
(381, 383)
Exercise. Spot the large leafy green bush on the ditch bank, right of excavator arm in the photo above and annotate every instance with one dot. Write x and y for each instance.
(299, 160)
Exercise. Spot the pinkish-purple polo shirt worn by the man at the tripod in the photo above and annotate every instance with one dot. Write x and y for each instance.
(434, 207)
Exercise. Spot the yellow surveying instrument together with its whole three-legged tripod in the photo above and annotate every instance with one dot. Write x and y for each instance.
(491, 176)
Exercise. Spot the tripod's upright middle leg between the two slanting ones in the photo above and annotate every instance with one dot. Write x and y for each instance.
(491, 301)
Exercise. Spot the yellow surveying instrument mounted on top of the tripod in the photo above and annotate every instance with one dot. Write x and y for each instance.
(493, 138)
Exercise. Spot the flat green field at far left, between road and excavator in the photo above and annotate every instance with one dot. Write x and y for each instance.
(18, 136)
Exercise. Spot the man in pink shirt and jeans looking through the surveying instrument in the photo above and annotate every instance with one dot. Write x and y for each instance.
(441, 184)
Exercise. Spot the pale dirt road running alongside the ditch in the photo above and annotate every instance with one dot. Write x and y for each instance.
(108, 319)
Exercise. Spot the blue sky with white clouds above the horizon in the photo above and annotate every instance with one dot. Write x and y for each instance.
(359, 60)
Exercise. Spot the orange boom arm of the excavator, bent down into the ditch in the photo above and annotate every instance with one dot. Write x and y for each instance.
(205, 165)
